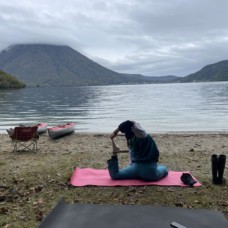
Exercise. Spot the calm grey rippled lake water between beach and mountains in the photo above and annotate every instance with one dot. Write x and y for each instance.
(158, 107)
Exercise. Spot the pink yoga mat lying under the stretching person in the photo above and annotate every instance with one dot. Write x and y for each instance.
(100, 177)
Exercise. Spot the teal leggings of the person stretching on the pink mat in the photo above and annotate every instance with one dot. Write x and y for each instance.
(148, 171)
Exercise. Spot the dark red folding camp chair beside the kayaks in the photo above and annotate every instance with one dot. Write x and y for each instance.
(24, 138)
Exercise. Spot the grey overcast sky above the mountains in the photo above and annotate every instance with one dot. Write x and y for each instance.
(149, 37)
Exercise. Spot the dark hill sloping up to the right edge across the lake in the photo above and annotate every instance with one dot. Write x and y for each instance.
(213, 72)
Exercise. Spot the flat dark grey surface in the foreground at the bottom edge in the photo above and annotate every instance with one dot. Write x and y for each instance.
(97, 216)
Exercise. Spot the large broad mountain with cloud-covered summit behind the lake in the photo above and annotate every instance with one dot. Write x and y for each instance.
(51, 65)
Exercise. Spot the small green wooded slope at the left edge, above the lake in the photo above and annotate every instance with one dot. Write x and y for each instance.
(8, 81)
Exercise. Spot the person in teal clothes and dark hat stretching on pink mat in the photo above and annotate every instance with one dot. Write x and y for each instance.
(144, 155)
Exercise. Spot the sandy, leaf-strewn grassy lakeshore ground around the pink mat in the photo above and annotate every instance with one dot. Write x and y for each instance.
(53, 163)
